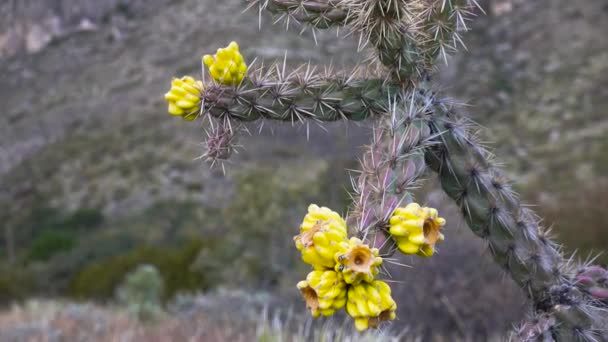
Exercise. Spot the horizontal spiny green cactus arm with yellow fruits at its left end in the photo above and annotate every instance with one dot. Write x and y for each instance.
(295, 98)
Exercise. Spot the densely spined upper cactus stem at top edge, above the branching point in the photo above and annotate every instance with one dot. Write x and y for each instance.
(408, 36)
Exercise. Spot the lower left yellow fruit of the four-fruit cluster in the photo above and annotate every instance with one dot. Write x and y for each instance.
(324, 292)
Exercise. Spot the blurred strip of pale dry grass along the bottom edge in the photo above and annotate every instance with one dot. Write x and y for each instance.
(45, 320)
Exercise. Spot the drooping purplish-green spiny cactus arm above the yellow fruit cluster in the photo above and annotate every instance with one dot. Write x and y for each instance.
(391, 166)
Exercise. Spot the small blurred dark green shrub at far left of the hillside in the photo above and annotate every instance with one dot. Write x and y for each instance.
(49, 243)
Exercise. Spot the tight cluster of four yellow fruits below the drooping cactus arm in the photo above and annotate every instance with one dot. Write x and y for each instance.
(344, 271)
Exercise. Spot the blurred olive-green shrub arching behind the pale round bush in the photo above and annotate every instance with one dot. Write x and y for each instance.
(100, 279)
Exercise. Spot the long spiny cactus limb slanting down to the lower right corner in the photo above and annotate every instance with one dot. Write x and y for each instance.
(494, 212)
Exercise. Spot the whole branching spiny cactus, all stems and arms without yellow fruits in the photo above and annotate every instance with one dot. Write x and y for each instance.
(415, 129)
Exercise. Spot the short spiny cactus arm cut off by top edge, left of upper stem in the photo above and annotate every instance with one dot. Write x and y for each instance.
(320, 14)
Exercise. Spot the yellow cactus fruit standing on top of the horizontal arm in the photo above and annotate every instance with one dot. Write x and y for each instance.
(227, 65)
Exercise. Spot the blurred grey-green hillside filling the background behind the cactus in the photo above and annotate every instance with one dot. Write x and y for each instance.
(95, 177)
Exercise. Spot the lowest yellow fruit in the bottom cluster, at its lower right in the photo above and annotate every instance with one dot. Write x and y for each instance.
(370, 303)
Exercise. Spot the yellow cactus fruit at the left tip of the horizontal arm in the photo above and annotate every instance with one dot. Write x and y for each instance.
(184, 97)
